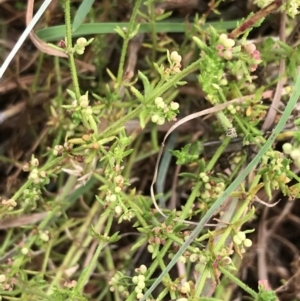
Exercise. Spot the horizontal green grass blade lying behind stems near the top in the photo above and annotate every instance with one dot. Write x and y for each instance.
(56, 33)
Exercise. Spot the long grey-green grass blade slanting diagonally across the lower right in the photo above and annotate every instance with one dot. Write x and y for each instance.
(232, 187)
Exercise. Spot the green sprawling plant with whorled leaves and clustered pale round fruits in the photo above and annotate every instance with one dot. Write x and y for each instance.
(224, 65)
